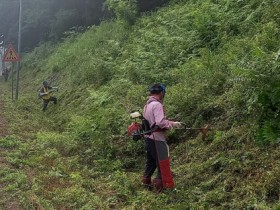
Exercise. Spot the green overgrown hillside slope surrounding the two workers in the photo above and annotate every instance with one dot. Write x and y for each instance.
(220, 61)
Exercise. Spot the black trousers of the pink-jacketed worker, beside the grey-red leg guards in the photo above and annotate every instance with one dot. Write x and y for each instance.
(152, 162)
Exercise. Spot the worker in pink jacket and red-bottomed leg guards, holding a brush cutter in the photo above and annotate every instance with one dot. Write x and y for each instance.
(157, 151)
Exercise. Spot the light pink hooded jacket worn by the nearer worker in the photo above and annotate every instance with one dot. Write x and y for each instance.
(154, 113)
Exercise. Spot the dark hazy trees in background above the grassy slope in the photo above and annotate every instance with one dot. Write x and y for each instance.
(49, 20)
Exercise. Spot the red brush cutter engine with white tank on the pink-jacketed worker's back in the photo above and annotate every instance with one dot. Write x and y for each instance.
(138, 129)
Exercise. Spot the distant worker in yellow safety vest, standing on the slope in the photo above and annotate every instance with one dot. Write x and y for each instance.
(45, 94)
